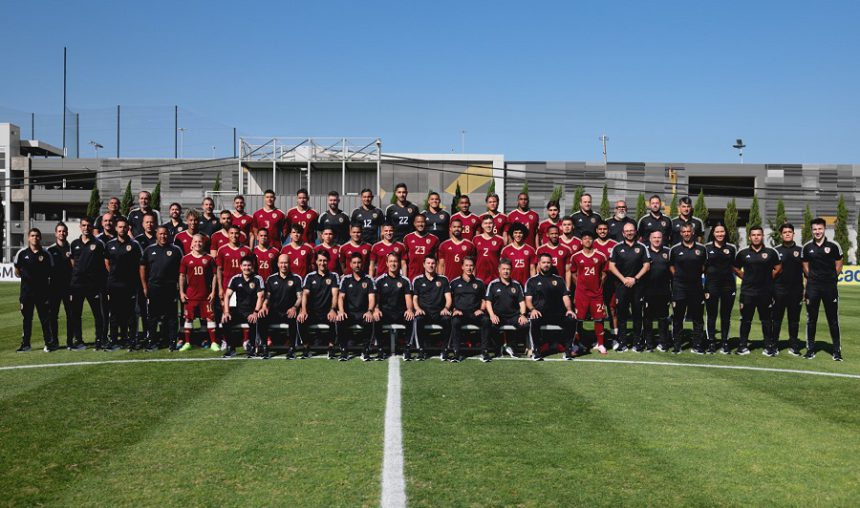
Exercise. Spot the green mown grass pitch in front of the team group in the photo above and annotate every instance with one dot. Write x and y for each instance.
(509, 433)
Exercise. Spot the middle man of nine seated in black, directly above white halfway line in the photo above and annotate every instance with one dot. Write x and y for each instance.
(394, 299)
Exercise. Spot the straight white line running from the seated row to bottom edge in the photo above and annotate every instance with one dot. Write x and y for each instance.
(393, 483)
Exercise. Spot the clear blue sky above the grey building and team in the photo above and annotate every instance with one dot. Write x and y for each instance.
(666, 81)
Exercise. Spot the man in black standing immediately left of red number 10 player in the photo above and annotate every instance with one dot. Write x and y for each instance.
(159, 273)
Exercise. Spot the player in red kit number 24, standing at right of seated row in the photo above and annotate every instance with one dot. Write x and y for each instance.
(588, 267)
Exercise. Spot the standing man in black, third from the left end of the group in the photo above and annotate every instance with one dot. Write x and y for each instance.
(87, 284)
